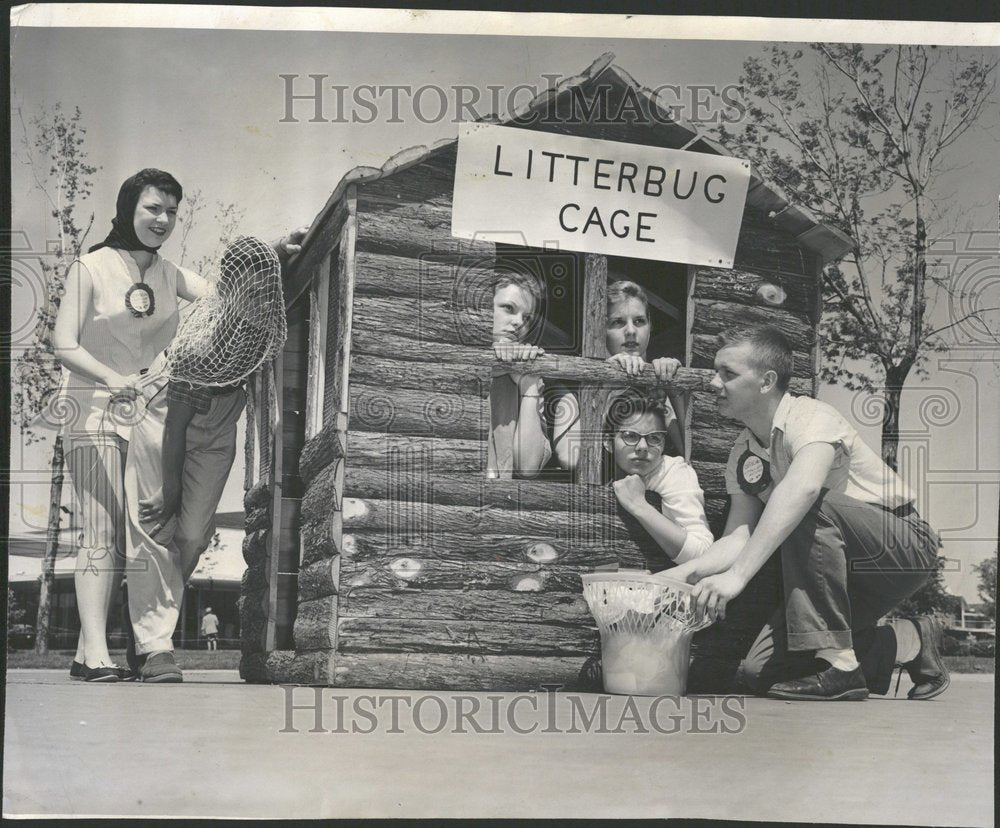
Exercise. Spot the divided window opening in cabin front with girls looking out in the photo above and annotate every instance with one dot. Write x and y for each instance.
(553, 285)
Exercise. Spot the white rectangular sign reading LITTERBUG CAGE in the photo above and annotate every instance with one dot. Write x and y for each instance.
(597, 196)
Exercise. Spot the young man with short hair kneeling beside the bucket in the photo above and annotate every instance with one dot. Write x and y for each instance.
(852, 545)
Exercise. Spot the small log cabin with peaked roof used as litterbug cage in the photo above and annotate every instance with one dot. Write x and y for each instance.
(379, 554)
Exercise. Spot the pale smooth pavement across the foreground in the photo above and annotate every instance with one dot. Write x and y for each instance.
(216, 747)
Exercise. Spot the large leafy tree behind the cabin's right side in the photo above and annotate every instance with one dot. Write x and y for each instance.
(861, 143)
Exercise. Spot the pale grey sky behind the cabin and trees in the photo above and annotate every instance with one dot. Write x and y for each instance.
(208, 104)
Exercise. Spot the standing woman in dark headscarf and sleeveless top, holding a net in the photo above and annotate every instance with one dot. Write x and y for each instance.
(118, 313)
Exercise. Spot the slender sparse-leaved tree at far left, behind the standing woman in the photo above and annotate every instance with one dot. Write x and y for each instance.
(57, 157)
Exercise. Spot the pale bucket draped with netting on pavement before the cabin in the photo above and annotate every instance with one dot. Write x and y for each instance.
(646, 628)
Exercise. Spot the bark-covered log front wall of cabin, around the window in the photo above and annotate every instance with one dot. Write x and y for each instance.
(417, 572)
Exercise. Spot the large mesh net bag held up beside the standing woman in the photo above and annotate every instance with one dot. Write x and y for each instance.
(240, 325)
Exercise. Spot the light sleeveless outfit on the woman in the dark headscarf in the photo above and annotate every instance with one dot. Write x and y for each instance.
(115, 337)
